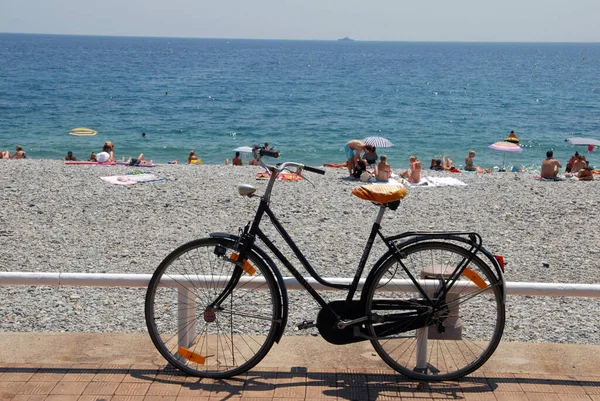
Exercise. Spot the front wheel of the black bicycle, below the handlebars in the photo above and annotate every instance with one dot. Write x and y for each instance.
(195, 335)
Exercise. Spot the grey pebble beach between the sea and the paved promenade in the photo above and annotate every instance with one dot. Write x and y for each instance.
(61, 218)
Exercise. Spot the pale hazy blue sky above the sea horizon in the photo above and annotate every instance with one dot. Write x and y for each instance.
(385, 20)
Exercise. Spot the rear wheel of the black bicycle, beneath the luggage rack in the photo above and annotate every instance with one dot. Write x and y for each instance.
(444, 345)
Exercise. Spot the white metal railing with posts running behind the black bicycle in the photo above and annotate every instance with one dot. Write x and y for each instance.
(186, 305)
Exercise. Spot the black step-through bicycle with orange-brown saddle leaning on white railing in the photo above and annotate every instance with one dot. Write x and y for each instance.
(432, 305)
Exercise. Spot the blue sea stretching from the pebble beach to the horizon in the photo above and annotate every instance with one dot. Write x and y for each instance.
(305, 98)
